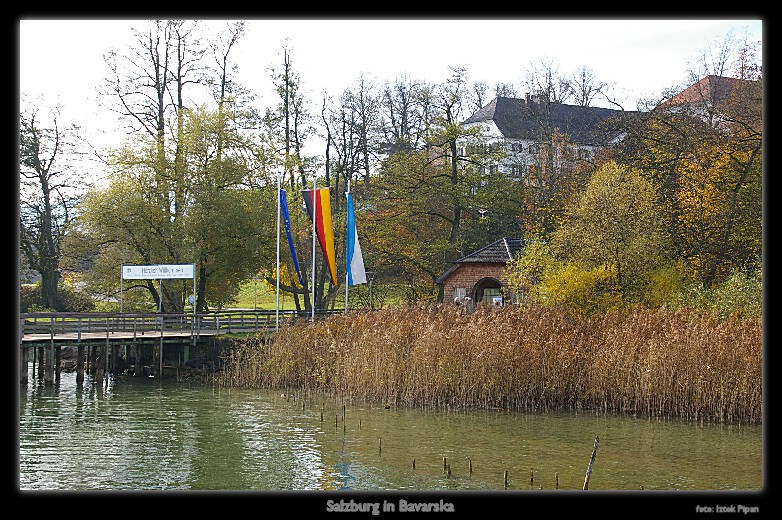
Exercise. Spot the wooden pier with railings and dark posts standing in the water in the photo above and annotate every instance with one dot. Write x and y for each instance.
(110, 340)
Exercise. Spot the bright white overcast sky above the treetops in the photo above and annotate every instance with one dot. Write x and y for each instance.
(60, 60)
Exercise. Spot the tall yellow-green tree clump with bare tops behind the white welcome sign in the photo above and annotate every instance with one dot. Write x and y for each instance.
(181, 185)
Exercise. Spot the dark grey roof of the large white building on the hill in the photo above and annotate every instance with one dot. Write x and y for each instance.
(525, 119)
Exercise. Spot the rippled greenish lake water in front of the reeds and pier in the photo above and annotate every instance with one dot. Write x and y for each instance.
(140, 434)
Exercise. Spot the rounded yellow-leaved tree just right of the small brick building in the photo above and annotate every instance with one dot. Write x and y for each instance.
(608, 245)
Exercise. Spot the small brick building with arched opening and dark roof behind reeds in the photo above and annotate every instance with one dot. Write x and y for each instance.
(478, 277)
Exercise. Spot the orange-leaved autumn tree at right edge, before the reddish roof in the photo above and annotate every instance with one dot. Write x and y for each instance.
(703, 148)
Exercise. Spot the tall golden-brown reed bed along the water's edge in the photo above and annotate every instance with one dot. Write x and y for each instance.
(658, 363)
